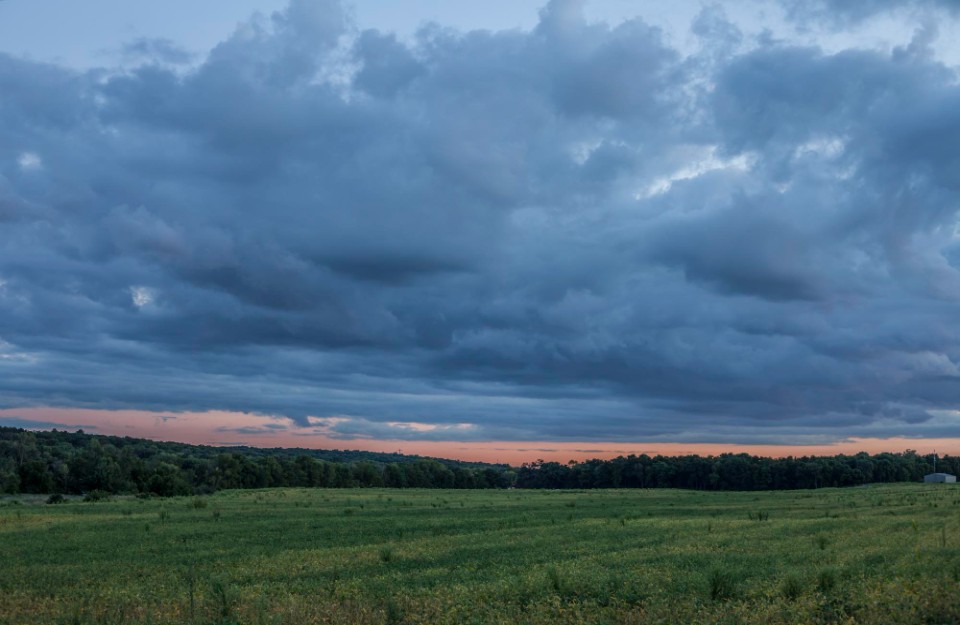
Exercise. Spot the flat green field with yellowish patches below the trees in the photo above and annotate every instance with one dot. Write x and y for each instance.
(885, 554)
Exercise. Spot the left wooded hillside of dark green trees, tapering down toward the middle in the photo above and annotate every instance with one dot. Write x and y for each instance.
(75, 462)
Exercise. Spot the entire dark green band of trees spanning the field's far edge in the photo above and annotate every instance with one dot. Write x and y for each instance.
(76, 463)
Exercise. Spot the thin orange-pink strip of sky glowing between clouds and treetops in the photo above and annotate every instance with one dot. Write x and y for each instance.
(203, 428)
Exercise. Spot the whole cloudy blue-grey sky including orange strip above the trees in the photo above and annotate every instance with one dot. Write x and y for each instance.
(499, 231)
